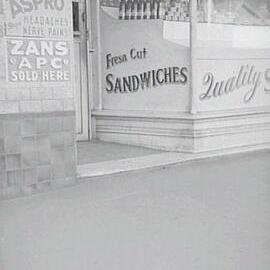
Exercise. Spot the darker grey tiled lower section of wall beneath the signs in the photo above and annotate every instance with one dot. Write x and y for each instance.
(37, 152)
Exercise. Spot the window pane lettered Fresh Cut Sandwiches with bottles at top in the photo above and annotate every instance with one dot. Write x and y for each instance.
(145, 54)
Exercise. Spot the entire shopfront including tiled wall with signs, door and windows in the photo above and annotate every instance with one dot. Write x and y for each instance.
(167, 74)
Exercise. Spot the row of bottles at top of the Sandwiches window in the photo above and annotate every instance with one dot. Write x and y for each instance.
(141, 9)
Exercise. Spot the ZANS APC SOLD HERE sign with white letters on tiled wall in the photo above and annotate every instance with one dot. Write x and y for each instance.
(32, 60)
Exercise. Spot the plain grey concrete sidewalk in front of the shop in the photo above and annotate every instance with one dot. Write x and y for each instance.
(210, 214)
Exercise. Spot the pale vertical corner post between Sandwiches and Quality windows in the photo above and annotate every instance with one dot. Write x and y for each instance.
(193, 58)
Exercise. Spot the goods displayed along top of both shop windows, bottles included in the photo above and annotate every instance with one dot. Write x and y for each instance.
(237, 12)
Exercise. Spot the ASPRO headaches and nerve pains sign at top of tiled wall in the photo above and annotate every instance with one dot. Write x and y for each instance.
(38, 18)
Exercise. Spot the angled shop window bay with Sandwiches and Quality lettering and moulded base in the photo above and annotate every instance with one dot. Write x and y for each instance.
(181, 77)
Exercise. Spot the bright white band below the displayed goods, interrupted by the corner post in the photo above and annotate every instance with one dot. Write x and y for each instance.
(219, 35)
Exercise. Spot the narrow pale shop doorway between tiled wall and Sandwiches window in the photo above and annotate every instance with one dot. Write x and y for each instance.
(82, 69)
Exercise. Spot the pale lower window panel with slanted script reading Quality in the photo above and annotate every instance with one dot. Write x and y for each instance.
(239, 83)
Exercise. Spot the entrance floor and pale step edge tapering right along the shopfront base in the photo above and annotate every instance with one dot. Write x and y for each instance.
(96, 158)
